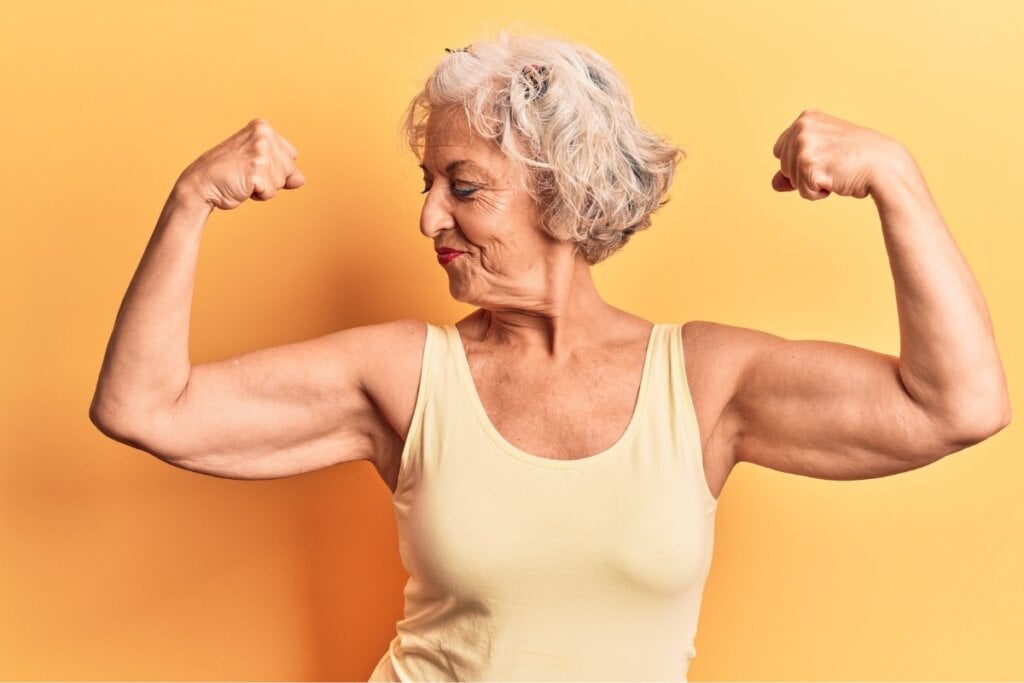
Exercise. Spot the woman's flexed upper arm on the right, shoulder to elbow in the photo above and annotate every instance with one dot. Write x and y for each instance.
(827, 410)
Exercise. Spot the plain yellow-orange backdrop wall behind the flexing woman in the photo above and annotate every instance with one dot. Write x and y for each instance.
(116, 566)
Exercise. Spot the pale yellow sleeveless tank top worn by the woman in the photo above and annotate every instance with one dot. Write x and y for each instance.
(524, 568)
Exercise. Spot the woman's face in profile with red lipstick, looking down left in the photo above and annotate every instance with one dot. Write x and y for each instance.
(477, 204)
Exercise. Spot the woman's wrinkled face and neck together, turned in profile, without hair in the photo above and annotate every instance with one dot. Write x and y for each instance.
(537, 294)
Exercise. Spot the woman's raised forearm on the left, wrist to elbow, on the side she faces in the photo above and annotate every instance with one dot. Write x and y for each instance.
(147, 364)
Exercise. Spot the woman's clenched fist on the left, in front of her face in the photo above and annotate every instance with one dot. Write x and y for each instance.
(255, 162)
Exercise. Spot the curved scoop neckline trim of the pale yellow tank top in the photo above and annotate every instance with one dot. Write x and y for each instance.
(462, 362)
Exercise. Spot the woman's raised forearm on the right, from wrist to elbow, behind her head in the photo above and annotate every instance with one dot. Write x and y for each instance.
(949, 359)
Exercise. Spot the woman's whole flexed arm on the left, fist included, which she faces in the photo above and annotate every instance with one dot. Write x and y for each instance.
(267, 414)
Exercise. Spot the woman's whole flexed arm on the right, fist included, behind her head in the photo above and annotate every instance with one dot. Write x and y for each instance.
(834, 411)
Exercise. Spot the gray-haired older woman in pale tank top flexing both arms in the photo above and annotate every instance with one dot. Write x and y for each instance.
(556, 462)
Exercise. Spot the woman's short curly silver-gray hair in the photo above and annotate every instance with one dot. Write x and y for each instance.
(566, 113)
